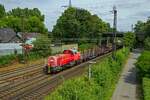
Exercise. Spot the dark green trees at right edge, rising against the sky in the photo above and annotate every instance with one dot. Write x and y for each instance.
(144, 29)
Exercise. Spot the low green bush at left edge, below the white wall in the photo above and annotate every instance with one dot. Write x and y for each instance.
(4, 60)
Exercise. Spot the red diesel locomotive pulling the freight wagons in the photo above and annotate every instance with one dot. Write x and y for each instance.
(58, 62)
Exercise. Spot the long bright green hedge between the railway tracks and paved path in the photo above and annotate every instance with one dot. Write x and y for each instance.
(100, 87)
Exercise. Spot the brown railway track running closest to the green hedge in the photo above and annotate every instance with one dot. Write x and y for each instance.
(43, 89)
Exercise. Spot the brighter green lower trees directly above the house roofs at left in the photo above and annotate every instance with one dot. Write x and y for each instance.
(31, 24)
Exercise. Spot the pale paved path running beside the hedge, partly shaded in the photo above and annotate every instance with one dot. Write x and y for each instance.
(127, 86)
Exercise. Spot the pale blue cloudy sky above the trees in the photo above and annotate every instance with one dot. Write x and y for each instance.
(129, 11)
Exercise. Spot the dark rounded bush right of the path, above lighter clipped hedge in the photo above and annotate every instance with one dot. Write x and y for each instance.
(143, 64)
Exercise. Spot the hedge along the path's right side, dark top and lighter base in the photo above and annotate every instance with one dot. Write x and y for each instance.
(143, 66)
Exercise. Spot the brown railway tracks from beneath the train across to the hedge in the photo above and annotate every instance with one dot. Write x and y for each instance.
(39, 85)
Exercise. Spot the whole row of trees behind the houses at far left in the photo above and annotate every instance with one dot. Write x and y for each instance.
(22, 20)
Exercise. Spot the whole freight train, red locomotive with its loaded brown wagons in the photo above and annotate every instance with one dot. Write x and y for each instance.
(72, 57)
